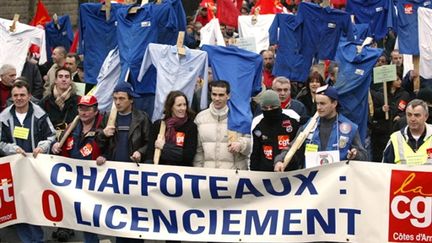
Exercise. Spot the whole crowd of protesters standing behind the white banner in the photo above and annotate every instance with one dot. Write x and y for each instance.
(43, 103)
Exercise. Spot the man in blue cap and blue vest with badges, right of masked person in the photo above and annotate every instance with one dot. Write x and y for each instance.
(333, 133)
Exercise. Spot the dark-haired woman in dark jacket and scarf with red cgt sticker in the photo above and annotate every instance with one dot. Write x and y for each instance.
(178, 144)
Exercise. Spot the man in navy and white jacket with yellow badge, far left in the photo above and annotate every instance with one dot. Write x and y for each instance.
(25, 128)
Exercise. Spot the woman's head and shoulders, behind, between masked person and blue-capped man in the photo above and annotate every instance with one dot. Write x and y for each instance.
(307, 94)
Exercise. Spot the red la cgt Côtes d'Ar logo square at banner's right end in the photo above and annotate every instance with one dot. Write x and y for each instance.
(410, 218)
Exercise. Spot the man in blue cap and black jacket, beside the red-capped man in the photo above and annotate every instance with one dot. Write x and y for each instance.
(128, 139)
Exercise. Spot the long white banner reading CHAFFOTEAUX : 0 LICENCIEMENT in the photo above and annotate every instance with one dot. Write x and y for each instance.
(342, 202)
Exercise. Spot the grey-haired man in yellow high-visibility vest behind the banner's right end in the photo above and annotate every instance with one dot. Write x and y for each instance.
(412, 144)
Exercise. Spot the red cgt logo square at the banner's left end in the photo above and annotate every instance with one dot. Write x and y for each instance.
(7, 203)
